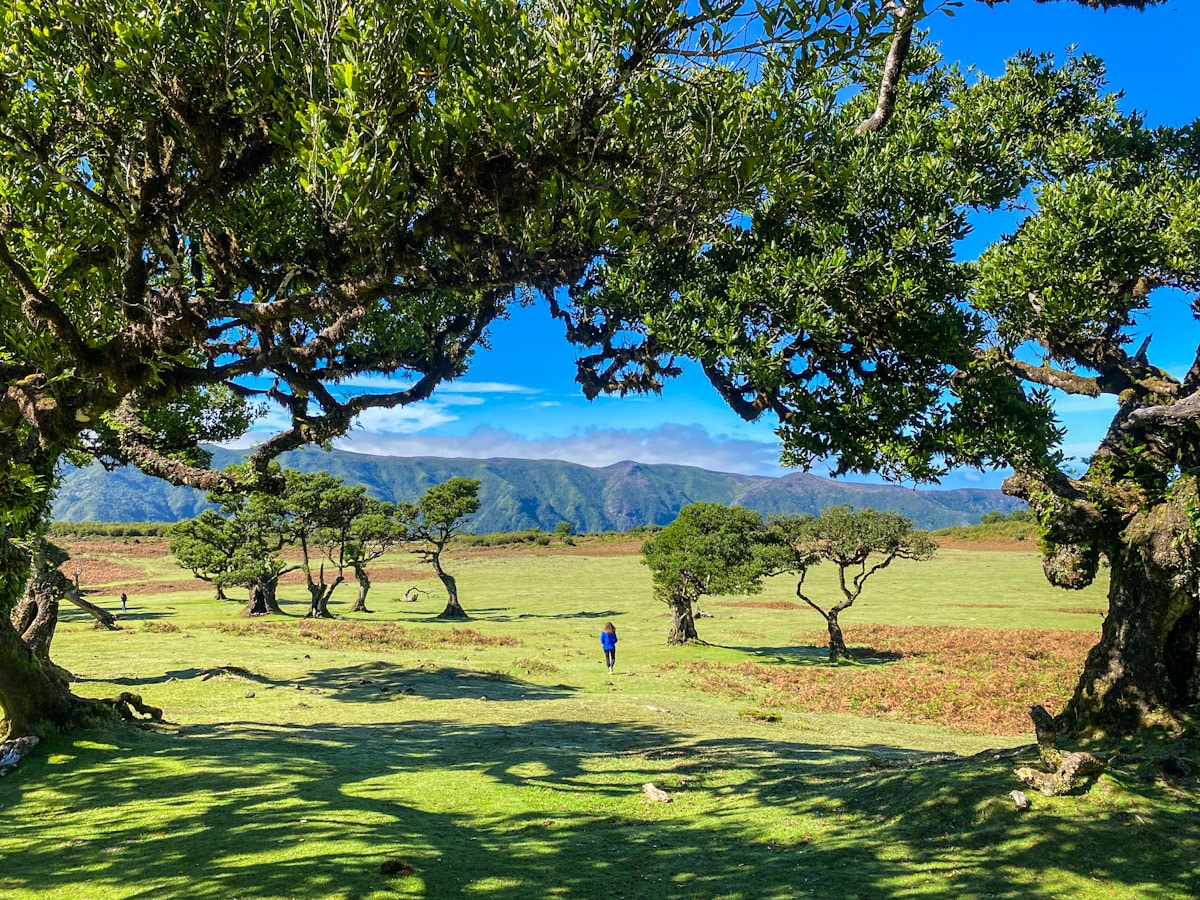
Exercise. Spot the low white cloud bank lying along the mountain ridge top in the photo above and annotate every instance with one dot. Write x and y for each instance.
(680, 445)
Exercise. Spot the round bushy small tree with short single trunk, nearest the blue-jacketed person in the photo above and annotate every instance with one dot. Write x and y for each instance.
(709, 550)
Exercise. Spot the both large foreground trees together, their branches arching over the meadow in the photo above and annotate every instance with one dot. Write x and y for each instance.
(209, 205)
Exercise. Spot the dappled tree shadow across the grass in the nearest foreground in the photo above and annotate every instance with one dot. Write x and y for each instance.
(553, 807)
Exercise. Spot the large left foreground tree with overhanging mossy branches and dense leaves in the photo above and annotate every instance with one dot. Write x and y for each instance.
(211, 206)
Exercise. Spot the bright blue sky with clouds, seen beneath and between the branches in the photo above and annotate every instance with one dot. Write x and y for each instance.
(520, 399)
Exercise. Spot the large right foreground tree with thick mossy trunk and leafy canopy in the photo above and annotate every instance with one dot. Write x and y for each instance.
(839, 307)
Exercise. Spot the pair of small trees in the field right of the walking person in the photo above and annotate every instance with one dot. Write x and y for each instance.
(711, 549)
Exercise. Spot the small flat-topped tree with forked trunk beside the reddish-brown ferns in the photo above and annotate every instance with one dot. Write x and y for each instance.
(860, 543)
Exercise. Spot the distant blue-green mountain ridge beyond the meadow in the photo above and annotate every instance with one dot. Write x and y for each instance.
(533, 494)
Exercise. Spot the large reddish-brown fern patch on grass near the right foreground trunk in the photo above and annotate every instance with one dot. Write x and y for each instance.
(976, 681)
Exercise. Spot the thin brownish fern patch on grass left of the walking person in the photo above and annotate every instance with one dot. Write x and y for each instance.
(334, 635)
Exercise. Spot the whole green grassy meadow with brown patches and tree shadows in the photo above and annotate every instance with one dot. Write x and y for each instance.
(393, 755)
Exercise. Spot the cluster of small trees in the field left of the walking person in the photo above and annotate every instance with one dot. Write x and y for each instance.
(323, 523)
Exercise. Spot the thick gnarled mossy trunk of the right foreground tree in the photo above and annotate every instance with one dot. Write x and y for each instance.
(1145, 665)
